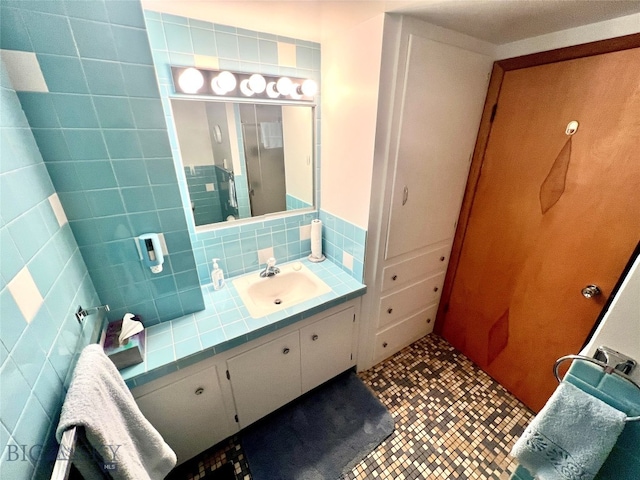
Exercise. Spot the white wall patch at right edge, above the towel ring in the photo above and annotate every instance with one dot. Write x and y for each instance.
(620, 328)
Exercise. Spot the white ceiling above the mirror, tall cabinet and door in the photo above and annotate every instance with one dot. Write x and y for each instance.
(495, 21)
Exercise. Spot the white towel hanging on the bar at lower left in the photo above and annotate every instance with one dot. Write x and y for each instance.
(99, 400)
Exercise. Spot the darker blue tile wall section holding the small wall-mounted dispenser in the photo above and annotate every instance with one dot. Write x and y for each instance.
(102, 135)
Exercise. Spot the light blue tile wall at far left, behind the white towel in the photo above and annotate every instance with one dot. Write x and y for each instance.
(36, 354)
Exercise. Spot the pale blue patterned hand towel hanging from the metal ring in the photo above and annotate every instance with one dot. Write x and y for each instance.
(571, 437)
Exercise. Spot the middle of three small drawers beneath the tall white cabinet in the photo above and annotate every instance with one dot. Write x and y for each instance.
(398, 305)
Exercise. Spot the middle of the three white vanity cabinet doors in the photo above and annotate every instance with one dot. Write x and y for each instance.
(265, 378)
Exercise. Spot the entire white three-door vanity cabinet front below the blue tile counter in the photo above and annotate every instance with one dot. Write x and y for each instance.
(198, 406)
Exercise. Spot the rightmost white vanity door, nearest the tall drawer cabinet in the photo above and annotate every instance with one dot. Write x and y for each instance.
(326, 348)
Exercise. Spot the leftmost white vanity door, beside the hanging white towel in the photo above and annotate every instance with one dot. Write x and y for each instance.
(189, 414)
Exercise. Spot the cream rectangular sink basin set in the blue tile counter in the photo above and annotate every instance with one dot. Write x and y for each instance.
(294, 284)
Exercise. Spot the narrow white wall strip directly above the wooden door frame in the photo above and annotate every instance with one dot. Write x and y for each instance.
(573, 36)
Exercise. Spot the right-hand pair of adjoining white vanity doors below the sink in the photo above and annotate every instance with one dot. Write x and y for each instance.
(270, 375)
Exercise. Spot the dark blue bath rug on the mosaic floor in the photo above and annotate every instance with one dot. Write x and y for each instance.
(319, 436)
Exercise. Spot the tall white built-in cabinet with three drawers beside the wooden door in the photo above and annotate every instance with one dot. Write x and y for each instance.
(428, 115)
